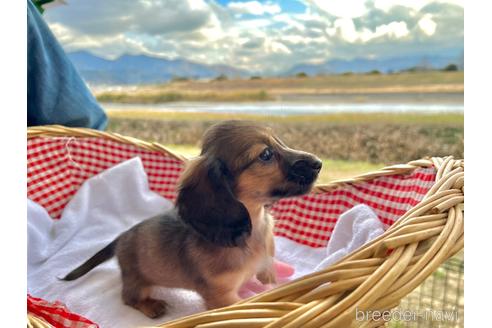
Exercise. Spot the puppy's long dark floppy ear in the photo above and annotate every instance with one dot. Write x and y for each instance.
(207, 203)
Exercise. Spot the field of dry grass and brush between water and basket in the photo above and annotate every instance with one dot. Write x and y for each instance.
(361, 138)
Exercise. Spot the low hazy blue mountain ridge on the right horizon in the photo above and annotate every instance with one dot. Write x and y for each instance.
(384, 65)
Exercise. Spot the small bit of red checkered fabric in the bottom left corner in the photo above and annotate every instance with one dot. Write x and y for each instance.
(56, 314)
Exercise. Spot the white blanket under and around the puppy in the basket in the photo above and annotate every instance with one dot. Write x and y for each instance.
(110, 203)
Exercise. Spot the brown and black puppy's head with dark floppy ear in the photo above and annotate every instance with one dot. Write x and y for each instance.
(241, 163)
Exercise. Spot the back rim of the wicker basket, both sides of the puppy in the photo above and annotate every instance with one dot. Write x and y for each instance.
(63, 131)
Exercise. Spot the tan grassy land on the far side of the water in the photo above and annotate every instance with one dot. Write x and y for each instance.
(275, 88)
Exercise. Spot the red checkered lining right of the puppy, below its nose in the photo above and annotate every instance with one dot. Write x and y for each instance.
(310, 219)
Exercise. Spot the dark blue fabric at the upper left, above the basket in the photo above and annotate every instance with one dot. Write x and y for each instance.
(56, 94)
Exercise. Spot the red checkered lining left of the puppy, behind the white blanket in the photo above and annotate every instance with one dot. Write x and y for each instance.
(56, 167)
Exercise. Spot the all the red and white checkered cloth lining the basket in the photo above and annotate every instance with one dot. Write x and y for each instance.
(56, 167)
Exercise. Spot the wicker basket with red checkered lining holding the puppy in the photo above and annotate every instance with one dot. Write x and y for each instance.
(425, 220)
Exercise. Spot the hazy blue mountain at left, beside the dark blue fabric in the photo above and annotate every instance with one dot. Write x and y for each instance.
(142, 69)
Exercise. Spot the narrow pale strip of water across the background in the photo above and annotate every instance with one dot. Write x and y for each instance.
(293, 108)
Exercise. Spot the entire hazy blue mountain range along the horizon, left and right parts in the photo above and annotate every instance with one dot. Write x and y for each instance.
(142, 69)
